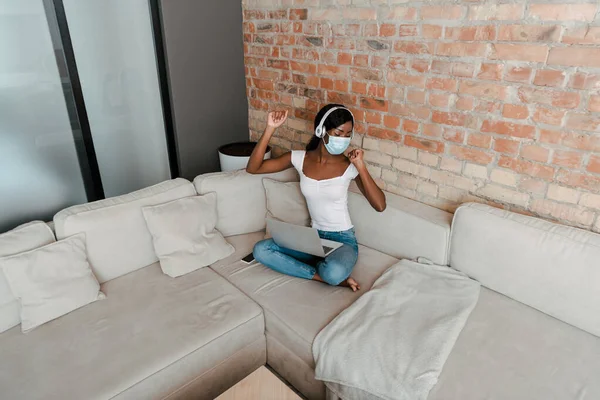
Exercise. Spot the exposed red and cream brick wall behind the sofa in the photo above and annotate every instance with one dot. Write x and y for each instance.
(456, 101)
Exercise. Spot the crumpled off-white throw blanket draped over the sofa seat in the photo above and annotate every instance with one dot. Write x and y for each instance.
(392, 343)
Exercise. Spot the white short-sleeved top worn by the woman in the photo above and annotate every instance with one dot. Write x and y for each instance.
(327, 199)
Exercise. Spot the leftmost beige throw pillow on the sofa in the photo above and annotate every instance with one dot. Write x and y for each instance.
(51, 281)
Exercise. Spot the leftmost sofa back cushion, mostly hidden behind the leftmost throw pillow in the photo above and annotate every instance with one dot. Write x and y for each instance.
(23, 238)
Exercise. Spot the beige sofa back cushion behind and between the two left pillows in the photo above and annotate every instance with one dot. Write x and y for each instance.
(117, 238)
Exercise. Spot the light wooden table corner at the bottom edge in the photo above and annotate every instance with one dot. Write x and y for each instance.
(260, 385)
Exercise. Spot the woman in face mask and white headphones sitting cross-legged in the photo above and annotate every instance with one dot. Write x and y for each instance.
(325, 174)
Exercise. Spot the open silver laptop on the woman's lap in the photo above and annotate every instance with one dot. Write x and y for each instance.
(301, 238)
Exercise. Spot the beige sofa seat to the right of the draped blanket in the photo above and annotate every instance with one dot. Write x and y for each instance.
(508, 350)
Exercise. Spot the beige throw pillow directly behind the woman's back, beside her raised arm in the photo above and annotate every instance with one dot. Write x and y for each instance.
(285, 202)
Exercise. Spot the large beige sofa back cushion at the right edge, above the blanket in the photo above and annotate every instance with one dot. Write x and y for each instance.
(553, 268)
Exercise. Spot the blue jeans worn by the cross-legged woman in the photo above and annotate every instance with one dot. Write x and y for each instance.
(333, 269)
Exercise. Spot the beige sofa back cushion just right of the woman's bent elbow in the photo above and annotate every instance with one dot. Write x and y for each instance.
(406, 229)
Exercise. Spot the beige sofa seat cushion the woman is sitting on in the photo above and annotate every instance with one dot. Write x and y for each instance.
(297, 309)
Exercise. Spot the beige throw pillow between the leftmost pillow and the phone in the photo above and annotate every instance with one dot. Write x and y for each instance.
(184, 235)
